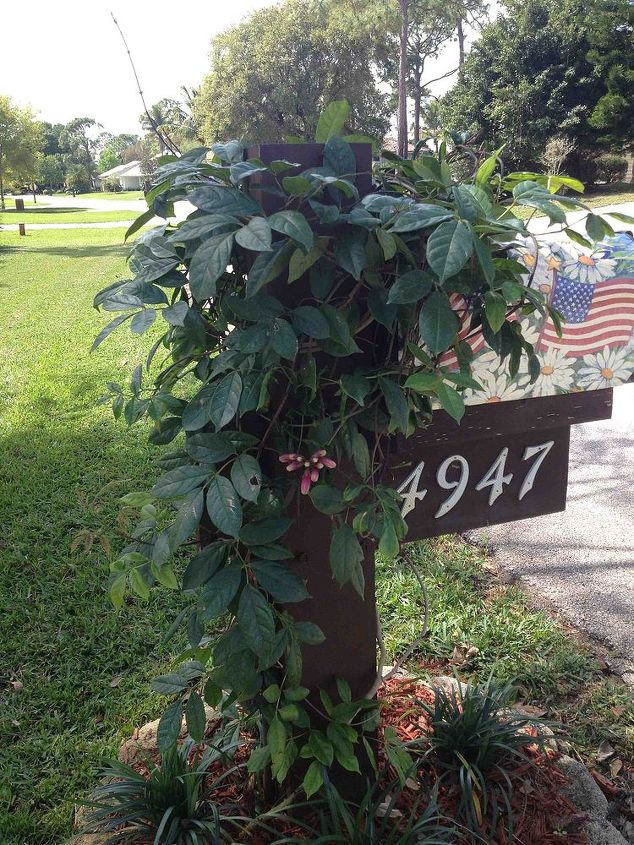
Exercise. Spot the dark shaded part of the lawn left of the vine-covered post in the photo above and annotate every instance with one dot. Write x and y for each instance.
(61, 478)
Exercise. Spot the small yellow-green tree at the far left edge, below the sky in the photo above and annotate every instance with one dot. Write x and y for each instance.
(20, 138)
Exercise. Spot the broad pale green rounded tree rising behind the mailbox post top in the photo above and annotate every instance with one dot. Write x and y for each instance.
(272, 74)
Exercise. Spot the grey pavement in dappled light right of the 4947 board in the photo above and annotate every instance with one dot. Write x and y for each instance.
(583, 559)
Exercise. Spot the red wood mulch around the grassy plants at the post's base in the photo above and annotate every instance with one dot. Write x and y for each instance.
(537, 802)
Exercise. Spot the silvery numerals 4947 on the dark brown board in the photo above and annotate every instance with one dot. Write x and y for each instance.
(495, 478)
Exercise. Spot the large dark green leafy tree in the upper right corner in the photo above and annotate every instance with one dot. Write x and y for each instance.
(542, 70)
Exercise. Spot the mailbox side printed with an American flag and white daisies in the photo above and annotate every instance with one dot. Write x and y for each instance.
(593, 290)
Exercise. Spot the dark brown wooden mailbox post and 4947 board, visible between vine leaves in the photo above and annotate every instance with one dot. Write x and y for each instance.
(505, 461)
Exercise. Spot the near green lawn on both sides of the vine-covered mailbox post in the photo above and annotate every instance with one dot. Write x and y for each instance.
(74, 674)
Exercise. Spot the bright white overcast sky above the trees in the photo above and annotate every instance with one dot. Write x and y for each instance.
(66, 59)
